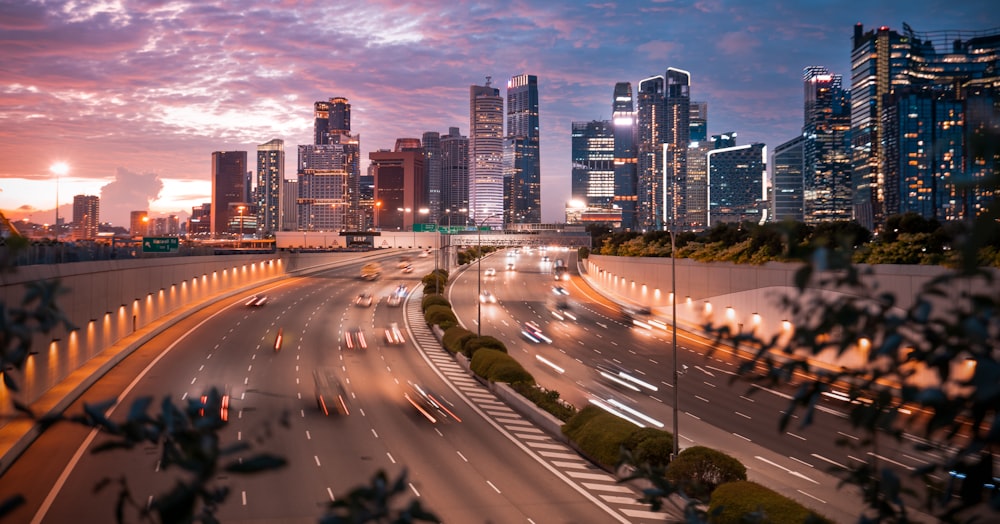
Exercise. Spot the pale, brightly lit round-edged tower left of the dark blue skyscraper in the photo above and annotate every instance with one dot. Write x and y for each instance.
(486, 186)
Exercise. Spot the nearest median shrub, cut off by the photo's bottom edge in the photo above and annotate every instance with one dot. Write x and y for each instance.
(734, 502)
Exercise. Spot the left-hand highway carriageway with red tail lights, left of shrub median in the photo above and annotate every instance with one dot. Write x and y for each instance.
(464, 470)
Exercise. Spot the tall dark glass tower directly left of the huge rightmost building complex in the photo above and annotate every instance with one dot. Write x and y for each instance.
(827, 190)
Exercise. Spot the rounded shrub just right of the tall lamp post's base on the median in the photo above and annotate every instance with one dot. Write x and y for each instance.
(699, 470)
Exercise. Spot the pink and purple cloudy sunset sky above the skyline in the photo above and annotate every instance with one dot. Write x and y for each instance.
(135, 95)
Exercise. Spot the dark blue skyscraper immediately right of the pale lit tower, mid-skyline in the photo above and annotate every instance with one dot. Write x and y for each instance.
(523, 192)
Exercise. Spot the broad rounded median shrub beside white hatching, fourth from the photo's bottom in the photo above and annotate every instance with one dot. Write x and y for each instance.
(599, 434)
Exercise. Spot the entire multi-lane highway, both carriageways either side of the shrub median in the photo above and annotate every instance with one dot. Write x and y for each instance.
(476, 461)
